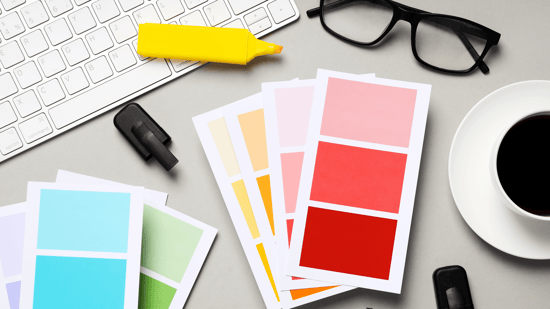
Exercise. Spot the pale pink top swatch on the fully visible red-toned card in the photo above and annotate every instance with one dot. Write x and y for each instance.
(368, 112)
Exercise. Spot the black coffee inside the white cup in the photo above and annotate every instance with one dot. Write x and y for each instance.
(523, 164)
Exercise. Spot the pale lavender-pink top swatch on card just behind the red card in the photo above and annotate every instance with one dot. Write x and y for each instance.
(293, 109)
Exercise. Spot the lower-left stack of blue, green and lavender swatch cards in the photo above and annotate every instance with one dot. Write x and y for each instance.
(84, 242)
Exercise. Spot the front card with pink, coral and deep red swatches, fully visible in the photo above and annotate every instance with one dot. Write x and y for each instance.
(358, 181)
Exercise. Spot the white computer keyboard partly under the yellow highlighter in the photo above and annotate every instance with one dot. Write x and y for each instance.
(63, 62)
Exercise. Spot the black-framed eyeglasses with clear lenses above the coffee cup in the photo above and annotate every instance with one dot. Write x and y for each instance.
(441, 42)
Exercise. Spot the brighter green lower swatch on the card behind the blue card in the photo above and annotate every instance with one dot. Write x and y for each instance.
(154, 294)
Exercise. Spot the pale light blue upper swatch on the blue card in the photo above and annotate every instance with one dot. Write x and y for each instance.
(83, 221)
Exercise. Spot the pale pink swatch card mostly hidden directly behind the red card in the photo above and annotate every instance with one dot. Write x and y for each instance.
(287, 108)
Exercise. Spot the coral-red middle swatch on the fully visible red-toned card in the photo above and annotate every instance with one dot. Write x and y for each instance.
(358, 177)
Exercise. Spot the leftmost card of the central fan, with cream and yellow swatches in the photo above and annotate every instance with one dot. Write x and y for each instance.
(214, 136)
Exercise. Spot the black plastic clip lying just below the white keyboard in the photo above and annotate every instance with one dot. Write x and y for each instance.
(145, 135)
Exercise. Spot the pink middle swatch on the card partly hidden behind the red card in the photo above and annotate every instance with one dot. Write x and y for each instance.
(291, 165)
